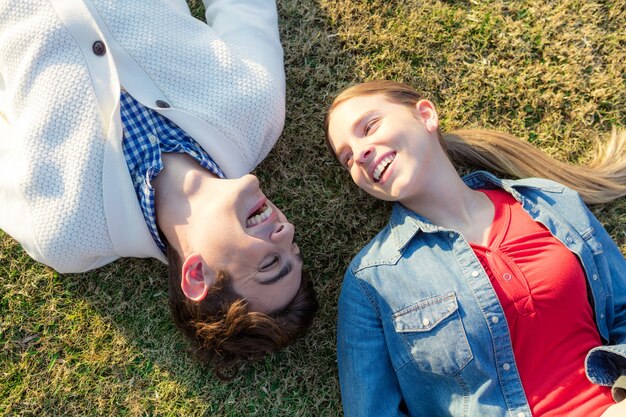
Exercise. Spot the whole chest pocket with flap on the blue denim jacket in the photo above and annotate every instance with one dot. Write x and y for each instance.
(434, 334)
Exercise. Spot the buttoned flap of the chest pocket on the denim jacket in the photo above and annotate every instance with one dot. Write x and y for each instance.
(426, 314)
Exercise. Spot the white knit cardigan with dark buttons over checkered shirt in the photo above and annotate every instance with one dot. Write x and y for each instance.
(65, 191)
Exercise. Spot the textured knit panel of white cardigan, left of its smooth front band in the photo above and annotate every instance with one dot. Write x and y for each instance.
(60, 172)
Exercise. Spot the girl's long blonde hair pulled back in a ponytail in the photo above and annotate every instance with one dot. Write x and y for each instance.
(601, 180)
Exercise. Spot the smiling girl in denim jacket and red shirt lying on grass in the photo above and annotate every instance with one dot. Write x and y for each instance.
(482, 296)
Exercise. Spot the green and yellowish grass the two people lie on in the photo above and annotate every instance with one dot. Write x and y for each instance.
(101, 343)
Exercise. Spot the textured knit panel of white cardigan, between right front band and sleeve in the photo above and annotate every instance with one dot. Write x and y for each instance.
(209, 79)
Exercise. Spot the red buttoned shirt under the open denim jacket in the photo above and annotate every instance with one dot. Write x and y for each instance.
(542, 288)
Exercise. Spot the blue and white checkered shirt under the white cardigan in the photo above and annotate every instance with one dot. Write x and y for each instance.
(146, 135)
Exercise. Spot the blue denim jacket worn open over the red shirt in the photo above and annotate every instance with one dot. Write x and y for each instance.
(421, 331)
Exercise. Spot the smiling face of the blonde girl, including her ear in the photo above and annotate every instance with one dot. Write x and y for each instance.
(391, 150)
